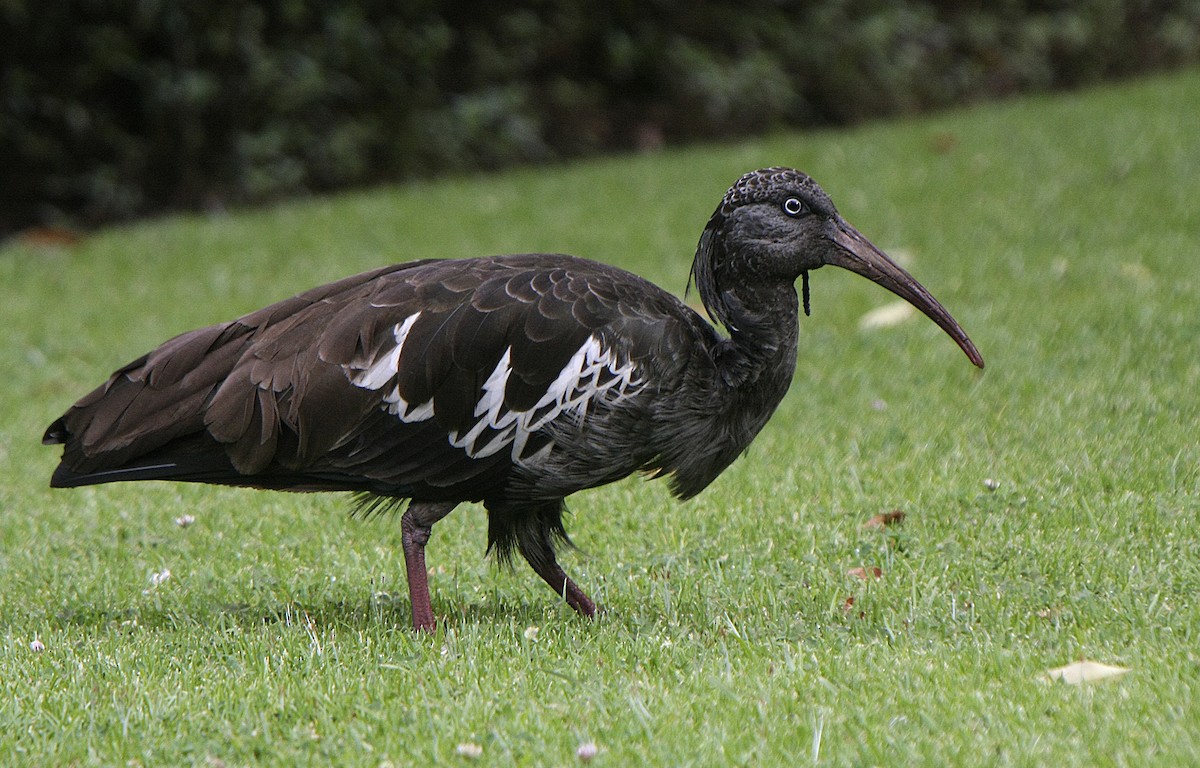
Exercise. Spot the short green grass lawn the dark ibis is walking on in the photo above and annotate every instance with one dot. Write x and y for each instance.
(1063, 232)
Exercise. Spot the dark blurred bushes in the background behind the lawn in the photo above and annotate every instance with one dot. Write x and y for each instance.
(118, 109)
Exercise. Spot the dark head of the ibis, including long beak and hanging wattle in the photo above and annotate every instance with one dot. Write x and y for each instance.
(777, 225)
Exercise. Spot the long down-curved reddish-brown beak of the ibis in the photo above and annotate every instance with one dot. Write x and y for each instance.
(860, 256)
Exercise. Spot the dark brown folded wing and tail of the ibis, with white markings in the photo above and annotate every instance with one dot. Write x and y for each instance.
(431, 379)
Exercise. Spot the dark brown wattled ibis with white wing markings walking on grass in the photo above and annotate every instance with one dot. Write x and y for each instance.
(511, 381)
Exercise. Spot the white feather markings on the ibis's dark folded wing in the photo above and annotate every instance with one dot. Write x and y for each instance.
(593, 375)
